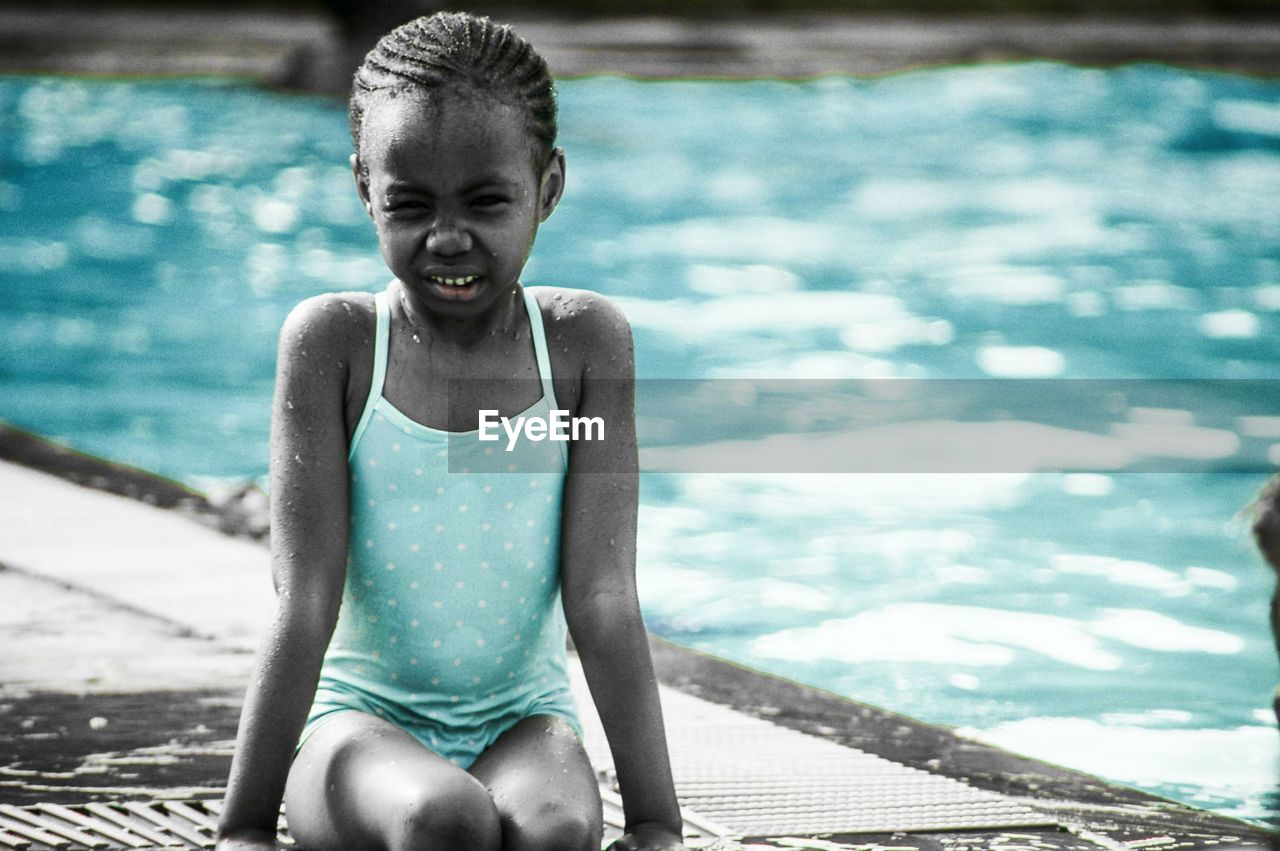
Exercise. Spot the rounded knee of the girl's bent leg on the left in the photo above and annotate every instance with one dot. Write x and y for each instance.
(455, 816)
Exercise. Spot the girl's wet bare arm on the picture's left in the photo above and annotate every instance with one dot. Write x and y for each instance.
(309, 552)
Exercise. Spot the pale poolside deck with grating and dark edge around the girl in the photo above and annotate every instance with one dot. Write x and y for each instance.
(129, 632)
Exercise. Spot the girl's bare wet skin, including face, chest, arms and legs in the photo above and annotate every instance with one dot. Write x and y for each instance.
(454, 195)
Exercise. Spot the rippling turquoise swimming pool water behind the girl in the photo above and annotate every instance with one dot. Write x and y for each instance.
(1002, 221)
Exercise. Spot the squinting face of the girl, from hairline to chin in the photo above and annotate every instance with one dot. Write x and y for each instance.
(450, 186)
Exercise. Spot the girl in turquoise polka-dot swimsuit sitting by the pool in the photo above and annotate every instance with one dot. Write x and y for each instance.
(415, 674)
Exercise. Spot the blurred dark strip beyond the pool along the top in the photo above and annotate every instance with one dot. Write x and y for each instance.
(314, 44)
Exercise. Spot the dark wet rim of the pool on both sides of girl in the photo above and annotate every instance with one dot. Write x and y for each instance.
(1078, 800)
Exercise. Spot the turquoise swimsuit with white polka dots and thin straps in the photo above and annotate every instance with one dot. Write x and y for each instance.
(451, 624)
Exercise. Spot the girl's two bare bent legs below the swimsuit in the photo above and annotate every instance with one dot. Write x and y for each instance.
(362, 783)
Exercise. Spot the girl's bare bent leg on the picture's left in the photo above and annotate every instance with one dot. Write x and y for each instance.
(363, 784)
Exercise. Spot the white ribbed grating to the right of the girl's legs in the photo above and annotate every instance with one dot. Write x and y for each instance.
(742, 776)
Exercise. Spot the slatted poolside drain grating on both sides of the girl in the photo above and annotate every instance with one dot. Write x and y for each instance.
(735, 776)
